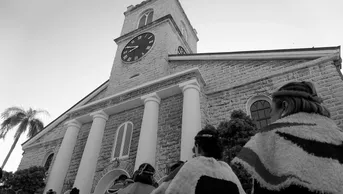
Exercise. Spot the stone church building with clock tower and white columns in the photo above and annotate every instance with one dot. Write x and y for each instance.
(160, 93)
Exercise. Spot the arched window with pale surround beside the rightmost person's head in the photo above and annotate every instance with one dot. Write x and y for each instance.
(259, 107)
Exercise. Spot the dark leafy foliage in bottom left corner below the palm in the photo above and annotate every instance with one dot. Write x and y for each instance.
(26, 181)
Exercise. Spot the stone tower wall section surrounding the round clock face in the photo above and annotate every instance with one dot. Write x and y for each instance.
(150, 67)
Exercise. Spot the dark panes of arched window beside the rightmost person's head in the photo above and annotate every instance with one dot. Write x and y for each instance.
(260, 113)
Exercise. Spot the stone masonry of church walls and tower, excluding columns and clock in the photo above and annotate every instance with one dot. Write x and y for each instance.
(229, 84)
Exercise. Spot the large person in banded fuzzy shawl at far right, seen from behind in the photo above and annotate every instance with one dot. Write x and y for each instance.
(301, 151)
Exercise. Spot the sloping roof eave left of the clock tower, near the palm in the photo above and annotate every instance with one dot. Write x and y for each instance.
(64, 115)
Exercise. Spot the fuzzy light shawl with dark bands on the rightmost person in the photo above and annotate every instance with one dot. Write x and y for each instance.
(302, 149)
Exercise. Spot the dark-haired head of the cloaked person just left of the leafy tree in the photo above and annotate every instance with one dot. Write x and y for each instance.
(209, 142)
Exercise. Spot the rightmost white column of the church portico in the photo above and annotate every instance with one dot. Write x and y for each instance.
(191, 117)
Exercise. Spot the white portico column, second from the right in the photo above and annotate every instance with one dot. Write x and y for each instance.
(146, 151)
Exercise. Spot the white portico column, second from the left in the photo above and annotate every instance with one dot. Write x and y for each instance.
(86, 171)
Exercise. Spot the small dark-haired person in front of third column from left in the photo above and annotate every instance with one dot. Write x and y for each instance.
(143, 181)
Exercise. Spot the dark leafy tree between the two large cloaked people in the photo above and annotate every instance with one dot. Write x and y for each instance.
(234, 134)
